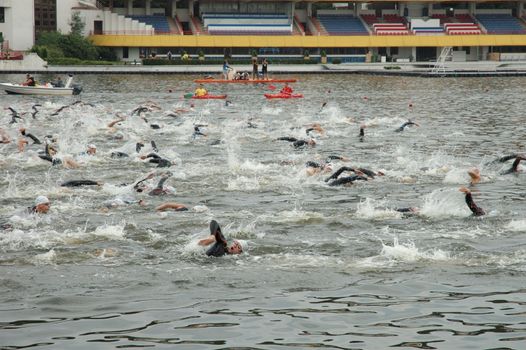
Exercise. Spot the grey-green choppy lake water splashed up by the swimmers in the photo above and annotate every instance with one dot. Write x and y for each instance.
(323, 267)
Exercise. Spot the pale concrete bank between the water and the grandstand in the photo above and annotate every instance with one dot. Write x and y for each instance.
(420, 69)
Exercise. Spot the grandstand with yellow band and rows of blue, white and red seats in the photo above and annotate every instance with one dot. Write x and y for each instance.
(405, 31)
